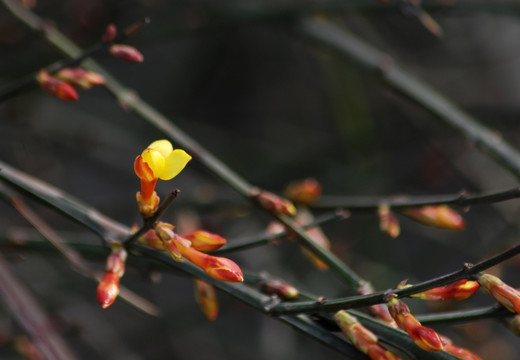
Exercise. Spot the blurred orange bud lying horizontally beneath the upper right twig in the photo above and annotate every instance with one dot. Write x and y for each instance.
(440, 216)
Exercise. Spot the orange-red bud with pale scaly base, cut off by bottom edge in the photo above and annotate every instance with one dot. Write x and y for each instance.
(362, 338)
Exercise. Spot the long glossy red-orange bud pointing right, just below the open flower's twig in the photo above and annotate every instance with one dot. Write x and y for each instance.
(219, 268)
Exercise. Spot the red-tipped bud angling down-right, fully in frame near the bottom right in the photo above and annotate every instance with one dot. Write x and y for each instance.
(424, 337)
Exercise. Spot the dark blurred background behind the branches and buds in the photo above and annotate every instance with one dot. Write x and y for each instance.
(241, 79)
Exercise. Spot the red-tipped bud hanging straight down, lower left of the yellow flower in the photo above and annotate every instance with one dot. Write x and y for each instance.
(108, 288)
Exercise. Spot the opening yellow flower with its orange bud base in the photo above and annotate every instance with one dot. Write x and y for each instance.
(158, 161)
